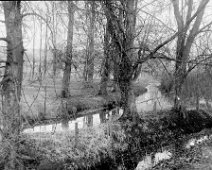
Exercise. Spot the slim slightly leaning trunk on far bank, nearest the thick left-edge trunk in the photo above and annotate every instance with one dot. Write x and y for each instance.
(68, 60)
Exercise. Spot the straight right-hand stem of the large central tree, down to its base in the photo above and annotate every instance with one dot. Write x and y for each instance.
(125, 68)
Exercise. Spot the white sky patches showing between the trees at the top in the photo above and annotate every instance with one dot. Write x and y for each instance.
(164, 14)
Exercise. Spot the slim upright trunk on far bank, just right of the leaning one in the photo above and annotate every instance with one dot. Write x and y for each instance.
(89, 72)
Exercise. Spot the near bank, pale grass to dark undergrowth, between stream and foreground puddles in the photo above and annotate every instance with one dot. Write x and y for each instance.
(107, 146)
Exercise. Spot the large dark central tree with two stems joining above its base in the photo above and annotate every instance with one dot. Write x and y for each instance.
(122, 32)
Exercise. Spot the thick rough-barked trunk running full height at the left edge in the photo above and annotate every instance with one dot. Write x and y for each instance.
(12, 82)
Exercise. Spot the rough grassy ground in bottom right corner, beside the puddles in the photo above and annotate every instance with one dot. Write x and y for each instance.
(197, 157)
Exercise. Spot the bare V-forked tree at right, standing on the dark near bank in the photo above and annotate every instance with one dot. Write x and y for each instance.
(185, 39)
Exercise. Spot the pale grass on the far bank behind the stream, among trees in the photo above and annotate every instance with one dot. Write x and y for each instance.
(35, 96)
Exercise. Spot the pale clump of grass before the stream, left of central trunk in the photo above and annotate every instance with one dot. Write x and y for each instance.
(91, 146)
